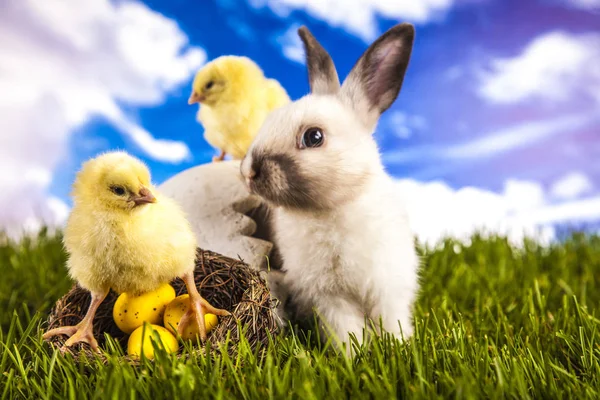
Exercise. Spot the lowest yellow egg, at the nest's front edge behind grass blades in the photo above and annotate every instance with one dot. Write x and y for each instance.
(142, 339)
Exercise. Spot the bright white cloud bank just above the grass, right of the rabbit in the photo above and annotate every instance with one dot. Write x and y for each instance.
(521, 210)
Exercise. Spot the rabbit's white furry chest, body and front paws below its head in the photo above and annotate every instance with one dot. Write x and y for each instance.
(353, 262)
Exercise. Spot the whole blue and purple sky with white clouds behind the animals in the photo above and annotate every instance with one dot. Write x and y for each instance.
(497, 125)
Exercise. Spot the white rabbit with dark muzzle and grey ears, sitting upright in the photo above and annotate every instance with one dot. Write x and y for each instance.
(340, 226)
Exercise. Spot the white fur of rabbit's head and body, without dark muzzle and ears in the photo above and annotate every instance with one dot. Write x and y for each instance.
(357, 260)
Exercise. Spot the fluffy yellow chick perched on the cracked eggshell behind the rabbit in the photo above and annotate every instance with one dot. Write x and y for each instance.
(235, 98)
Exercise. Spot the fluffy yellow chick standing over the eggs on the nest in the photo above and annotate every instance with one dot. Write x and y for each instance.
(122, 234)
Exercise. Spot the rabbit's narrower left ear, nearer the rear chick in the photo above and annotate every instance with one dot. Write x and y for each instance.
(322, 75)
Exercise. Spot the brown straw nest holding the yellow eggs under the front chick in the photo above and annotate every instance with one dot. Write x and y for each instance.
(225, 282)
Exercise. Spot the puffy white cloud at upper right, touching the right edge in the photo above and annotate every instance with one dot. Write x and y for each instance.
(557, 66)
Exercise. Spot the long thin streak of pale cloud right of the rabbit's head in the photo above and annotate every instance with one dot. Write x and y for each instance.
(495, 143)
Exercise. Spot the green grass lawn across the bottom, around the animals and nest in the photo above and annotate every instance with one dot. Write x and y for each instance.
(492, 321)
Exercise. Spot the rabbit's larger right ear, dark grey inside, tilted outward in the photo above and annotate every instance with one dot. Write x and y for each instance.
(375, 80)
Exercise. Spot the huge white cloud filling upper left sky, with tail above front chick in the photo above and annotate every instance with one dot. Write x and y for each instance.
(64, 63)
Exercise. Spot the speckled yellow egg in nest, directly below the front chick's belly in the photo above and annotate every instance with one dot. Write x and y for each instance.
(130, 312)
